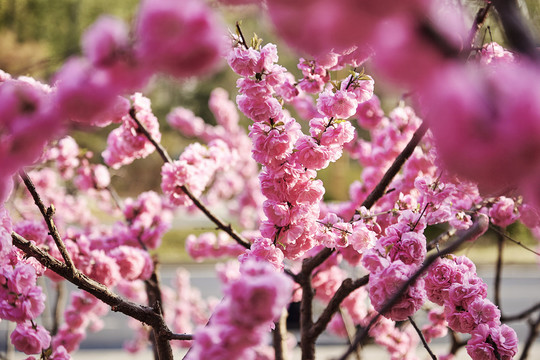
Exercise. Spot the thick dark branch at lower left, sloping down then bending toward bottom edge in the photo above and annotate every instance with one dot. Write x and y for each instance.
(144, 314)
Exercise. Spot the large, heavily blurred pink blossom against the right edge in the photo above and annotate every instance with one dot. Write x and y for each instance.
(489, 121)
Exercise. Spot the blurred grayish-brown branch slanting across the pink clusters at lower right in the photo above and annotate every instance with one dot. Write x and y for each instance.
(479, 227)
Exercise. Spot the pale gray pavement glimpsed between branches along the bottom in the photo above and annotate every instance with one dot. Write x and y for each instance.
(520, 290)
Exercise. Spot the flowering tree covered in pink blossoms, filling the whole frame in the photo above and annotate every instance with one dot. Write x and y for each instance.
(463, 153)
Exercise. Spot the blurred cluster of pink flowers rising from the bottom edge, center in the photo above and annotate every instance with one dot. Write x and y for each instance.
(241, 321)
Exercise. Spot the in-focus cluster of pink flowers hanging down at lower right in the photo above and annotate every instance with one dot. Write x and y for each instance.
(453, 283)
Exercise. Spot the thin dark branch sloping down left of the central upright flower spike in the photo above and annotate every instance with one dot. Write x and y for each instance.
(209, 214)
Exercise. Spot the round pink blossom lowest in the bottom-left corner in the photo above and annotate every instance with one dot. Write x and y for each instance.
(30, 339)
